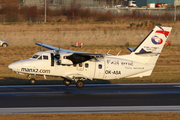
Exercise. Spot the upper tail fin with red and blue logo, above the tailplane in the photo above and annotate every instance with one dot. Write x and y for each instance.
(154, 42)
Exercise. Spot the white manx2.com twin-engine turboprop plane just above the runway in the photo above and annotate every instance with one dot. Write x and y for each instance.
(80, 66)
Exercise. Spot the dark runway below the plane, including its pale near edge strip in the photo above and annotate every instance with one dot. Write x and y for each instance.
(92, 98)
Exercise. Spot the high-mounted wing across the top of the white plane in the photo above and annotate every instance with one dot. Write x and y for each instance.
(85, 55)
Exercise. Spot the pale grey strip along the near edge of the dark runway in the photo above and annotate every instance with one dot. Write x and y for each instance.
(82, 110)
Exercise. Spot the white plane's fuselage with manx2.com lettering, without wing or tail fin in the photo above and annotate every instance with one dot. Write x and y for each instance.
(109, 67)
